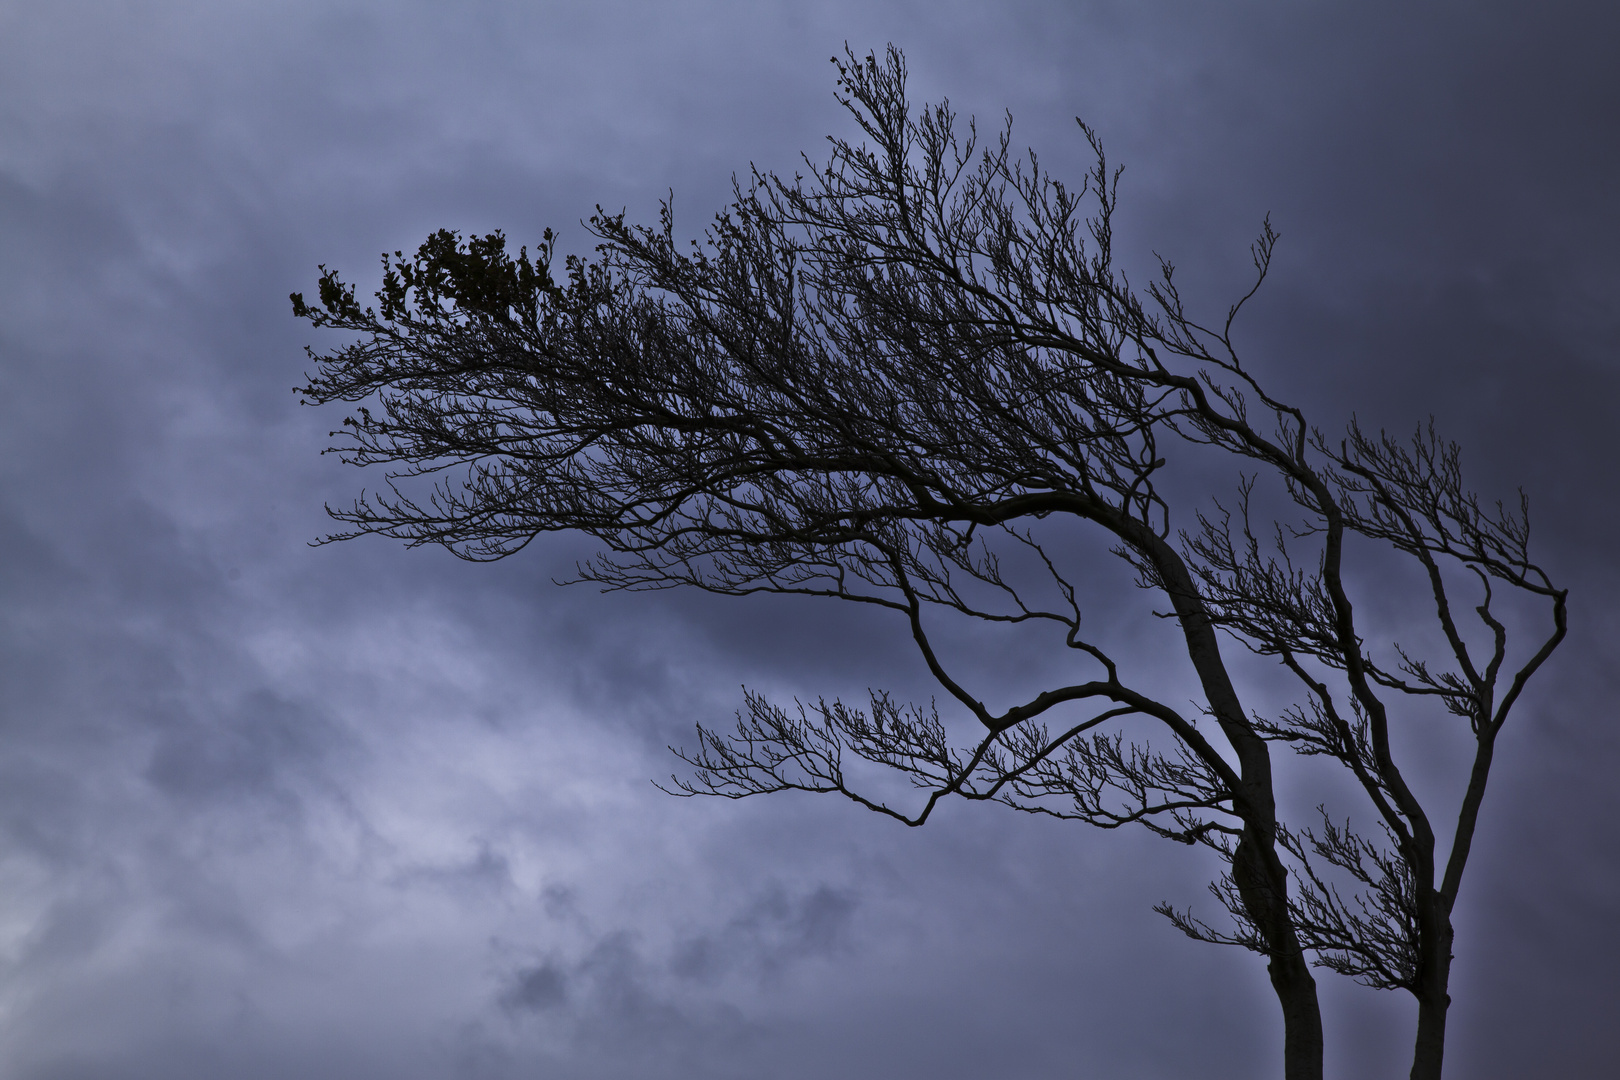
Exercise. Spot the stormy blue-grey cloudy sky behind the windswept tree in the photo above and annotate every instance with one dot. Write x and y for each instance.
(275, 810)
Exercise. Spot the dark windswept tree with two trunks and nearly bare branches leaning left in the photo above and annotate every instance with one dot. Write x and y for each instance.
(903, 381)
